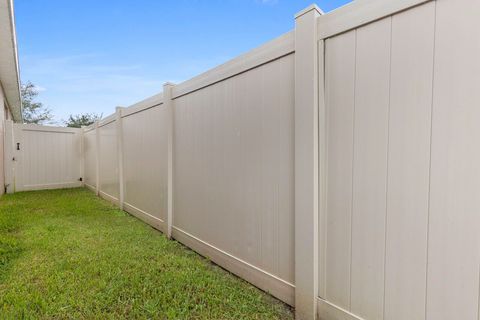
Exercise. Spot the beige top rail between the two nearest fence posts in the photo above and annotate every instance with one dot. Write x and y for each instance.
(270, 51)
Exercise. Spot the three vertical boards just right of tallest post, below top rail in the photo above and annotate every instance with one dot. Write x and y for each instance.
(379, 99)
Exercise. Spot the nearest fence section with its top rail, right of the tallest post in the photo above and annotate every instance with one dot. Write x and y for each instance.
(401, 234)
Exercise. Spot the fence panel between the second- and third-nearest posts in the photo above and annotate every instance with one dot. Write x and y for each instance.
(145, 163)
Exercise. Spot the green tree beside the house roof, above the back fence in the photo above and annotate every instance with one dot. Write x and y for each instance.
(33, 111)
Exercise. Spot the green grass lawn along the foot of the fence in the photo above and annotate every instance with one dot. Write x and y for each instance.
(66, 254)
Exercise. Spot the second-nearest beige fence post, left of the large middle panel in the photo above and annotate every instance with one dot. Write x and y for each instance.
(168, 103)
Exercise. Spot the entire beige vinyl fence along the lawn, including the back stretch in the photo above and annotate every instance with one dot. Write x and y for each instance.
(336, 167)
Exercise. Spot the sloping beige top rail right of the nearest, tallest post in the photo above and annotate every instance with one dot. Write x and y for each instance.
(359, 13)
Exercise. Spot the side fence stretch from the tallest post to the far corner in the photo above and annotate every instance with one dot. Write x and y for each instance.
(224, 141)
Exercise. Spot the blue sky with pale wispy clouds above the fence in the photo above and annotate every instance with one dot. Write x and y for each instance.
(92, 55)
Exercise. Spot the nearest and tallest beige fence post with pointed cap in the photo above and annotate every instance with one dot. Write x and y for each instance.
(306, 162)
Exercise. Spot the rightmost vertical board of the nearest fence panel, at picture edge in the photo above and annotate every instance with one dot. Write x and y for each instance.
(454, 237)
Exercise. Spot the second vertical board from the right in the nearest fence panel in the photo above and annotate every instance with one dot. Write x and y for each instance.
(409, 162)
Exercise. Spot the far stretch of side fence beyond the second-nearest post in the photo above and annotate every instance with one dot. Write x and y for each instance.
(126, 159)
